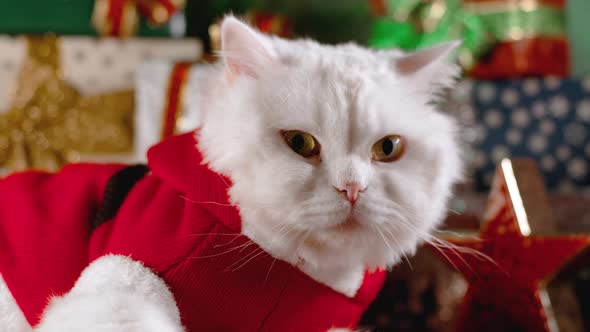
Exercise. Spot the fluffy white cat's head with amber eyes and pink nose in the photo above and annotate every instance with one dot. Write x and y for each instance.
(333, 154)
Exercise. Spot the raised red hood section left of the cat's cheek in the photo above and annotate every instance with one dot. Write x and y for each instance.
(178, 162)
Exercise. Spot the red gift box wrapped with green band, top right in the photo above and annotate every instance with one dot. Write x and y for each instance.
(530, 38)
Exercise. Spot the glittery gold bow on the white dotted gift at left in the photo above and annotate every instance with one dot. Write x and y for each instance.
(50, 123)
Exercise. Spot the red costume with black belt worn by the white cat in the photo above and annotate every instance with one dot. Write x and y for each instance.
(53, 225)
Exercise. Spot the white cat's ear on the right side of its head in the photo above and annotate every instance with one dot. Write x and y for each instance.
(431, 69)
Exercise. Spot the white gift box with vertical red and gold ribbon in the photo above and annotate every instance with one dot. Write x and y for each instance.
(168, 99)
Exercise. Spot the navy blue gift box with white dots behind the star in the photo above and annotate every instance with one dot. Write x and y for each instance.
(547, 119)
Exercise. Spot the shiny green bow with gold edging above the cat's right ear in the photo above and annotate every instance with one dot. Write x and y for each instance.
(417, 24)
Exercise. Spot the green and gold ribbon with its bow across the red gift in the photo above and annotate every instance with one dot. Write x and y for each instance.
(414, 24)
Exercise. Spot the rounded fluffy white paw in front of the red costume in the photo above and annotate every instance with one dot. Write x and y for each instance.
(114, 293)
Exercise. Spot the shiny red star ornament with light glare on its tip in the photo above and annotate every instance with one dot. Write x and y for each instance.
(508, 267)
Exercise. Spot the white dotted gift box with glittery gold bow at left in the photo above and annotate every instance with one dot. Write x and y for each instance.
(71, 99)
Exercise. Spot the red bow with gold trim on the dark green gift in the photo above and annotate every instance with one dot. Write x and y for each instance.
(121, 17)
